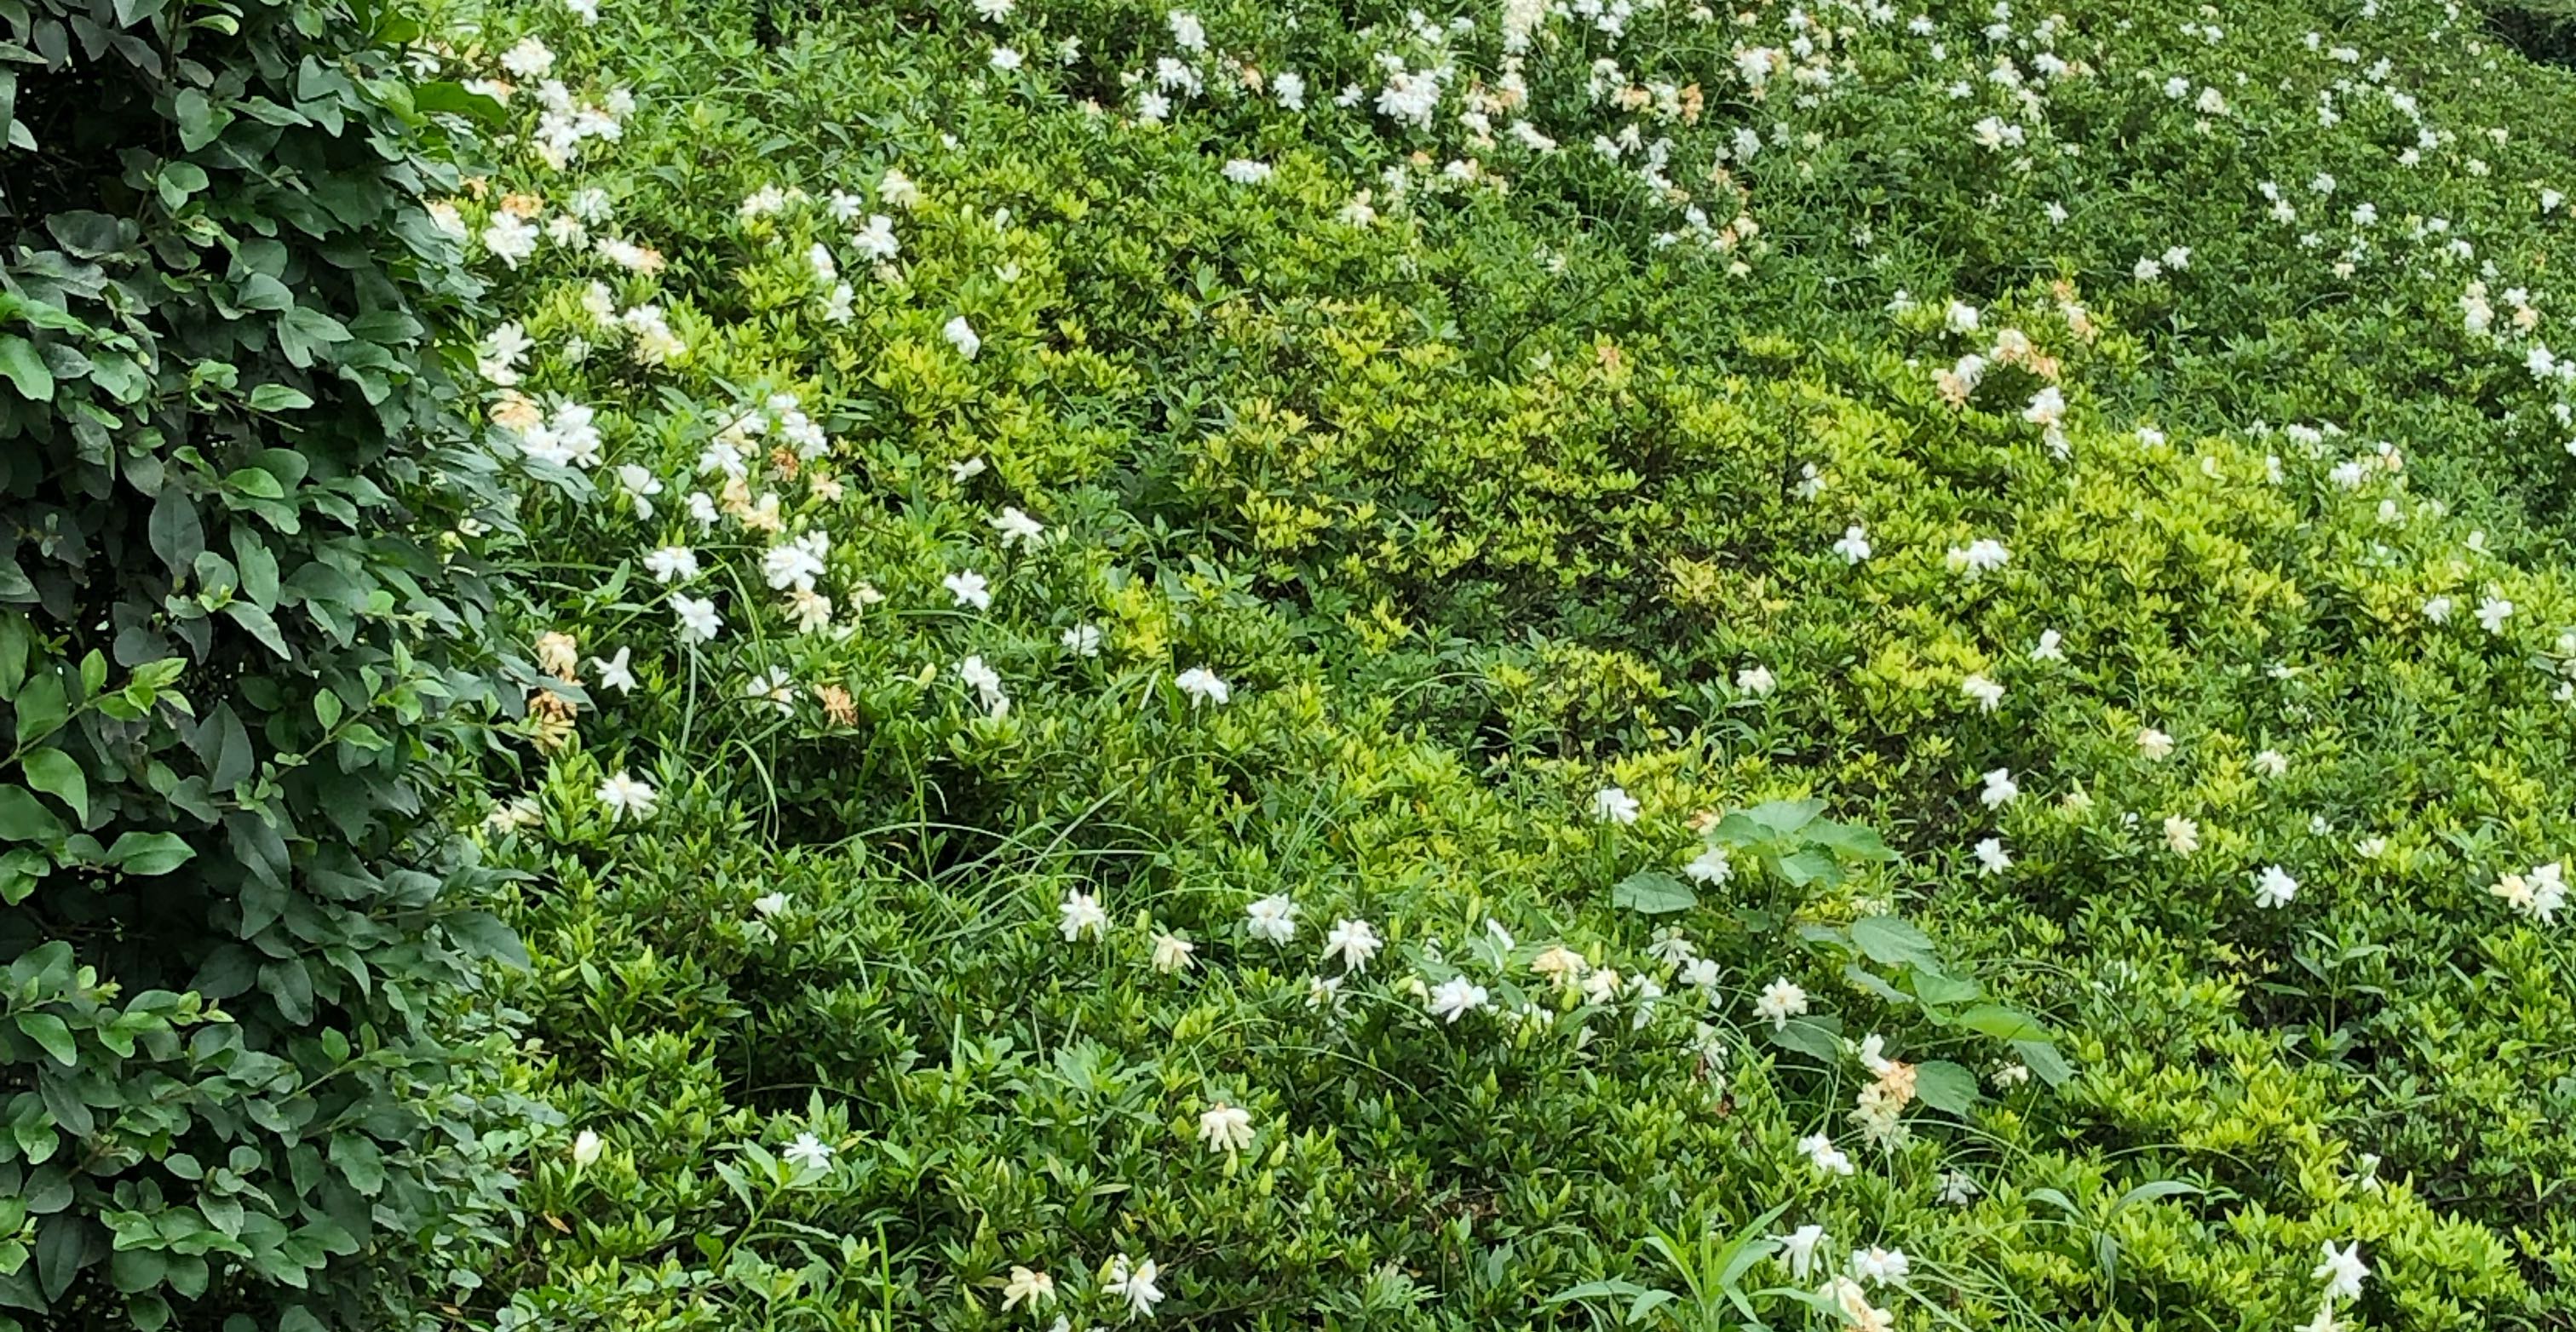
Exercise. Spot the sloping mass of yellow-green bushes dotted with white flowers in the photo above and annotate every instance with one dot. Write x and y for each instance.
(1549, 663)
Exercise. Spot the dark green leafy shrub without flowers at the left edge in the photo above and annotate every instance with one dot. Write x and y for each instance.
(231, 671)
